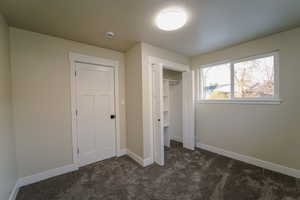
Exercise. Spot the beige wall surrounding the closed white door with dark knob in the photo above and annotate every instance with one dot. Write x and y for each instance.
(41, 97)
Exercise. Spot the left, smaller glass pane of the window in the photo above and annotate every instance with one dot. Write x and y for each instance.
(216, 82)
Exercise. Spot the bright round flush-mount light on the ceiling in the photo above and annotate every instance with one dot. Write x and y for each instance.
(171, 19)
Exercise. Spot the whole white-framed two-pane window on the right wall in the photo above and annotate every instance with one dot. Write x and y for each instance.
(253, 79)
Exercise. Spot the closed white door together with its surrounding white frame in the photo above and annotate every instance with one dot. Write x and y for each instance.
(95, 112)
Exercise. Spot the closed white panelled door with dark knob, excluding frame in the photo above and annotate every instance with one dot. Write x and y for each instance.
(95, 113)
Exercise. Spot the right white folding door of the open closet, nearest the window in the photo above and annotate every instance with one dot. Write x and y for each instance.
(188, 111)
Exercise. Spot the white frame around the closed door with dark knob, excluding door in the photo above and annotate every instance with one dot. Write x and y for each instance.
(80, 58)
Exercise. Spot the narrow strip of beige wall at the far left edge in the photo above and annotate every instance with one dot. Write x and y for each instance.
(8, 170)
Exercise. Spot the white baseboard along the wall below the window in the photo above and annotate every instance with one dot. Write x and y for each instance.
(251, 160)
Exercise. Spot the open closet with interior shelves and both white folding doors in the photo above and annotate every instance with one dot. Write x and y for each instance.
(172, 119)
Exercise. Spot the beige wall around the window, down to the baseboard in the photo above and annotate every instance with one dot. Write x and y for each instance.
(267, 132)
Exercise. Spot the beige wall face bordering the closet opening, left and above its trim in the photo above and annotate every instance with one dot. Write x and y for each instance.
(147, 51)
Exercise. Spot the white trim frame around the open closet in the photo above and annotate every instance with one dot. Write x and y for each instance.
(165, 64)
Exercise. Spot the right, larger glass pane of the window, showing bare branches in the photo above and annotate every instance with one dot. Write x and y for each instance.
(254, 78)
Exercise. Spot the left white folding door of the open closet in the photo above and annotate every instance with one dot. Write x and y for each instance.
(157, 114)
